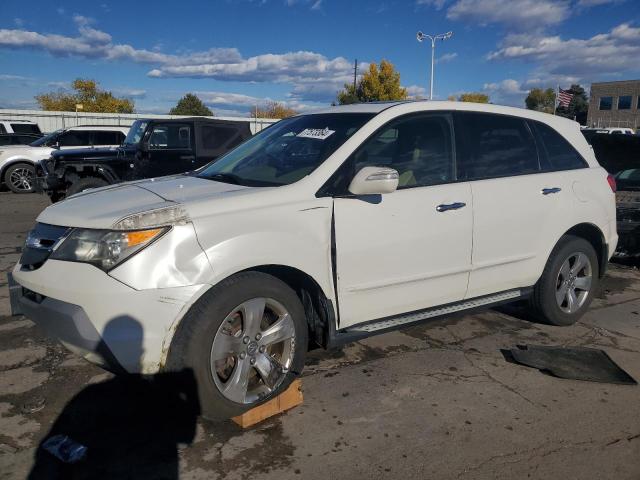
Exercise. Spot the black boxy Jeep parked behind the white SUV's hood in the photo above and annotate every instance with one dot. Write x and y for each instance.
(153, 148)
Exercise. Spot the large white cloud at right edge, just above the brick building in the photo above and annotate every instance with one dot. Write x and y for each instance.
(613, 53)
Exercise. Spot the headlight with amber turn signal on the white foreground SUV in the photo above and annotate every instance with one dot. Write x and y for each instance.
(105, 248)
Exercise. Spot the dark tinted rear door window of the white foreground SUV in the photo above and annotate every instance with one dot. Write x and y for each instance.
(493, 146)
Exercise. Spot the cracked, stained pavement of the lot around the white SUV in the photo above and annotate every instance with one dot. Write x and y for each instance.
(434, 401)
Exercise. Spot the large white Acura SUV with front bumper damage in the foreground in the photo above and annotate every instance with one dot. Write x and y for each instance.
(323, 228)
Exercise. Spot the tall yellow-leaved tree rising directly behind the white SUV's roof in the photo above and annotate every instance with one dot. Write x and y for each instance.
(376, 84)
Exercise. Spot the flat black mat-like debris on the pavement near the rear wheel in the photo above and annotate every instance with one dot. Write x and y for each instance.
(577, 363)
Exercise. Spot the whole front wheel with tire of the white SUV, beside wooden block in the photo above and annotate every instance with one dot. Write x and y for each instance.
(245, 340)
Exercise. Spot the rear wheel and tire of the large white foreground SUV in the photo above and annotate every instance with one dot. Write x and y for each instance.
(568, 283)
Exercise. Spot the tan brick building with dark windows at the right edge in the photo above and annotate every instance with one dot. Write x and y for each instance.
(615, 104)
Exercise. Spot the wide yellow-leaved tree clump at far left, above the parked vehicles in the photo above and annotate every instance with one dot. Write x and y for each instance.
(86, 93)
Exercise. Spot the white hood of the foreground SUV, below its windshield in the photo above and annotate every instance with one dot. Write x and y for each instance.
(103, 207)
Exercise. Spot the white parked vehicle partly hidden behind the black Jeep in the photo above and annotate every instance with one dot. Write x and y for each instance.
(17, 162)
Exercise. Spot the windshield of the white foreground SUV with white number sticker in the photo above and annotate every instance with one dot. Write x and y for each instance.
(287, 151)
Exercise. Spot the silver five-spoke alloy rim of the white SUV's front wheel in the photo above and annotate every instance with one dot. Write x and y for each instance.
(253, 350)
